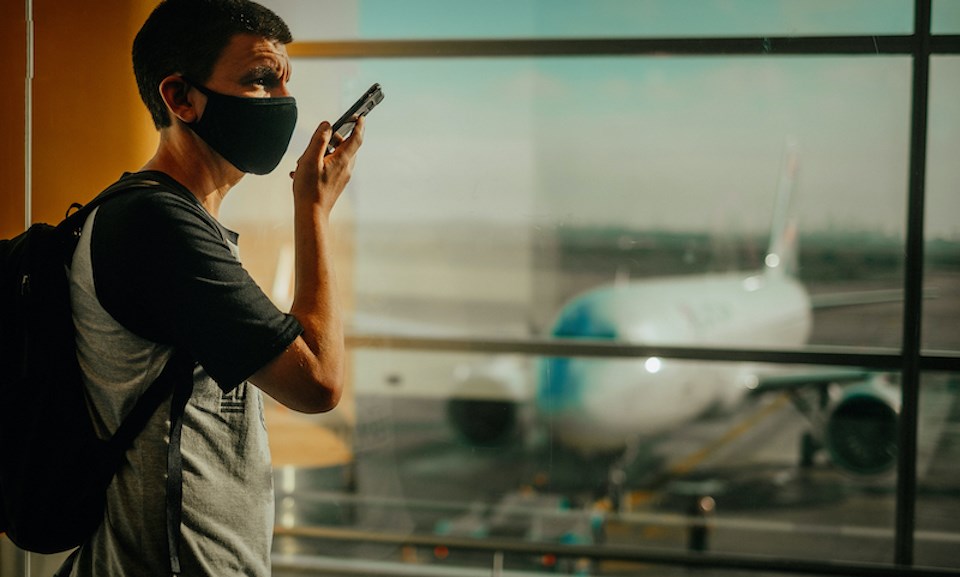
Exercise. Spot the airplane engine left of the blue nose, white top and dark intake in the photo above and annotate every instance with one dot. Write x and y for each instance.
(487, 408)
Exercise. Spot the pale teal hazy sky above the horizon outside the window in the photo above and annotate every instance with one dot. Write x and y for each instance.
(681, 143)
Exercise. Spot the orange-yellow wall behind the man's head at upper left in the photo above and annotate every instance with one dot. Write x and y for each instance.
(88, 122)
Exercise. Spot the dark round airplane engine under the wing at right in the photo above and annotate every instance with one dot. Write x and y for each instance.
(860, 431)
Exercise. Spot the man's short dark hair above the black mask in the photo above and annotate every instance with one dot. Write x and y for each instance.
(188, 36)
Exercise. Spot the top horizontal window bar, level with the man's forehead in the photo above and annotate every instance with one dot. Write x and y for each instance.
(545, 47)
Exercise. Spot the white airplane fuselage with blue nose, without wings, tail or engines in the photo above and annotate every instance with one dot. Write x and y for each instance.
(599, 405)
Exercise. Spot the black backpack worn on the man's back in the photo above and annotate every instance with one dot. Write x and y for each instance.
(54, 470)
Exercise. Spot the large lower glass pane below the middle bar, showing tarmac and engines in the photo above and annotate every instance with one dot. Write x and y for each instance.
(492, 454)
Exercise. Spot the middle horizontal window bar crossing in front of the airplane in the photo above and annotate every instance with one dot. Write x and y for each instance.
(884, 359)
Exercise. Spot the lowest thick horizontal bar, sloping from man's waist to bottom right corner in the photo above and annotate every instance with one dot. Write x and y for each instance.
(619, 553)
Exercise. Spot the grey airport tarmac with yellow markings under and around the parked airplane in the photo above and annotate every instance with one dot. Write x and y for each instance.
(411, 475)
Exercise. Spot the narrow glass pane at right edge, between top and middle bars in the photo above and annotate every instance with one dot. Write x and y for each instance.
(942, 270)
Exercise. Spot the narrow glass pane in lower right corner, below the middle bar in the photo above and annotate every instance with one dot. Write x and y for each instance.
(938, 479)
